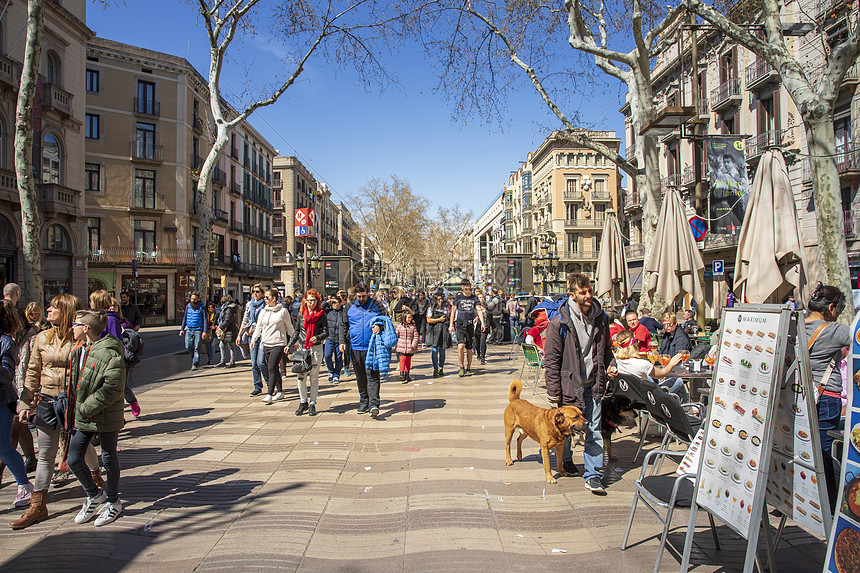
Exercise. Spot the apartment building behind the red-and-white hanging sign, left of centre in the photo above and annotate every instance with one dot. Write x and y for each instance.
(323, 255)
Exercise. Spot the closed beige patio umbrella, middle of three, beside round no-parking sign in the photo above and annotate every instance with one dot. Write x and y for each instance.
(675, 265)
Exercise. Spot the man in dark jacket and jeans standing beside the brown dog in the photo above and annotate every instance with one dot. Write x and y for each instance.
(578, 351)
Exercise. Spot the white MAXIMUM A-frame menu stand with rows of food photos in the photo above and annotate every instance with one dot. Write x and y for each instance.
(761, 436)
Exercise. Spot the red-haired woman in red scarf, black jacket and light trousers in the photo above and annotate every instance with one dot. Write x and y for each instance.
(311, 332)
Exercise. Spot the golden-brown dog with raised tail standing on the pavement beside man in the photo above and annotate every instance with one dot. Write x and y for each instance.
(548, 427)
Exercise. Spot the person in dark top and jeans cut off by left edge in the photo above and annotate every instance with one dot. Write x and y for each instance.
(9, 327)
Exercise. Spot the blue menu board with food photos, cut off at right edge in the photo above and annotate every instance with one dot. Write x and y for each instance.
(843, 551)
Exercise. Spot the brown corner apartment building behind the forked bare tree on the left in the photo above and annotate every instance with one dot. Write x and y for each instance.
(147, 130)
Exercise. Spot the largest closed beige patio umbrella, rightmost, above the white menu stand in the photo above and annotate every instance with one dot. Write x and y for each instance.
(770, 262)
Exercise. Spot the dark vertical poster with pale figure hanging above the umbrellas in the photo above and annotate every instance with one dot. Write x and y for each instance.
(729, 185)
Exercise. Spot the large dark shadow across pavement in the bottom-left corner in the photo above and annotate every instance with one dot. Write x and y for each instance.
(185, 503)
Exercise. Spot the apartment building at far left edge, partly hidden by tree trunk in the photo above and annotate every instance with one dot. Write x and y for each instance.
(58, 146)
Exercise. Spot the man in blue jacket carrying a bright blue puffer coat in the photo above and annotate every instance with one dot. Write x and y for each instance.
(357, 326)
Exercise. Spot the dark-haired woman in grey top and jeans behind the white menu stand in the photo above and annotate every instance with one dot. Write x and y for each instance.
(827, 337)
